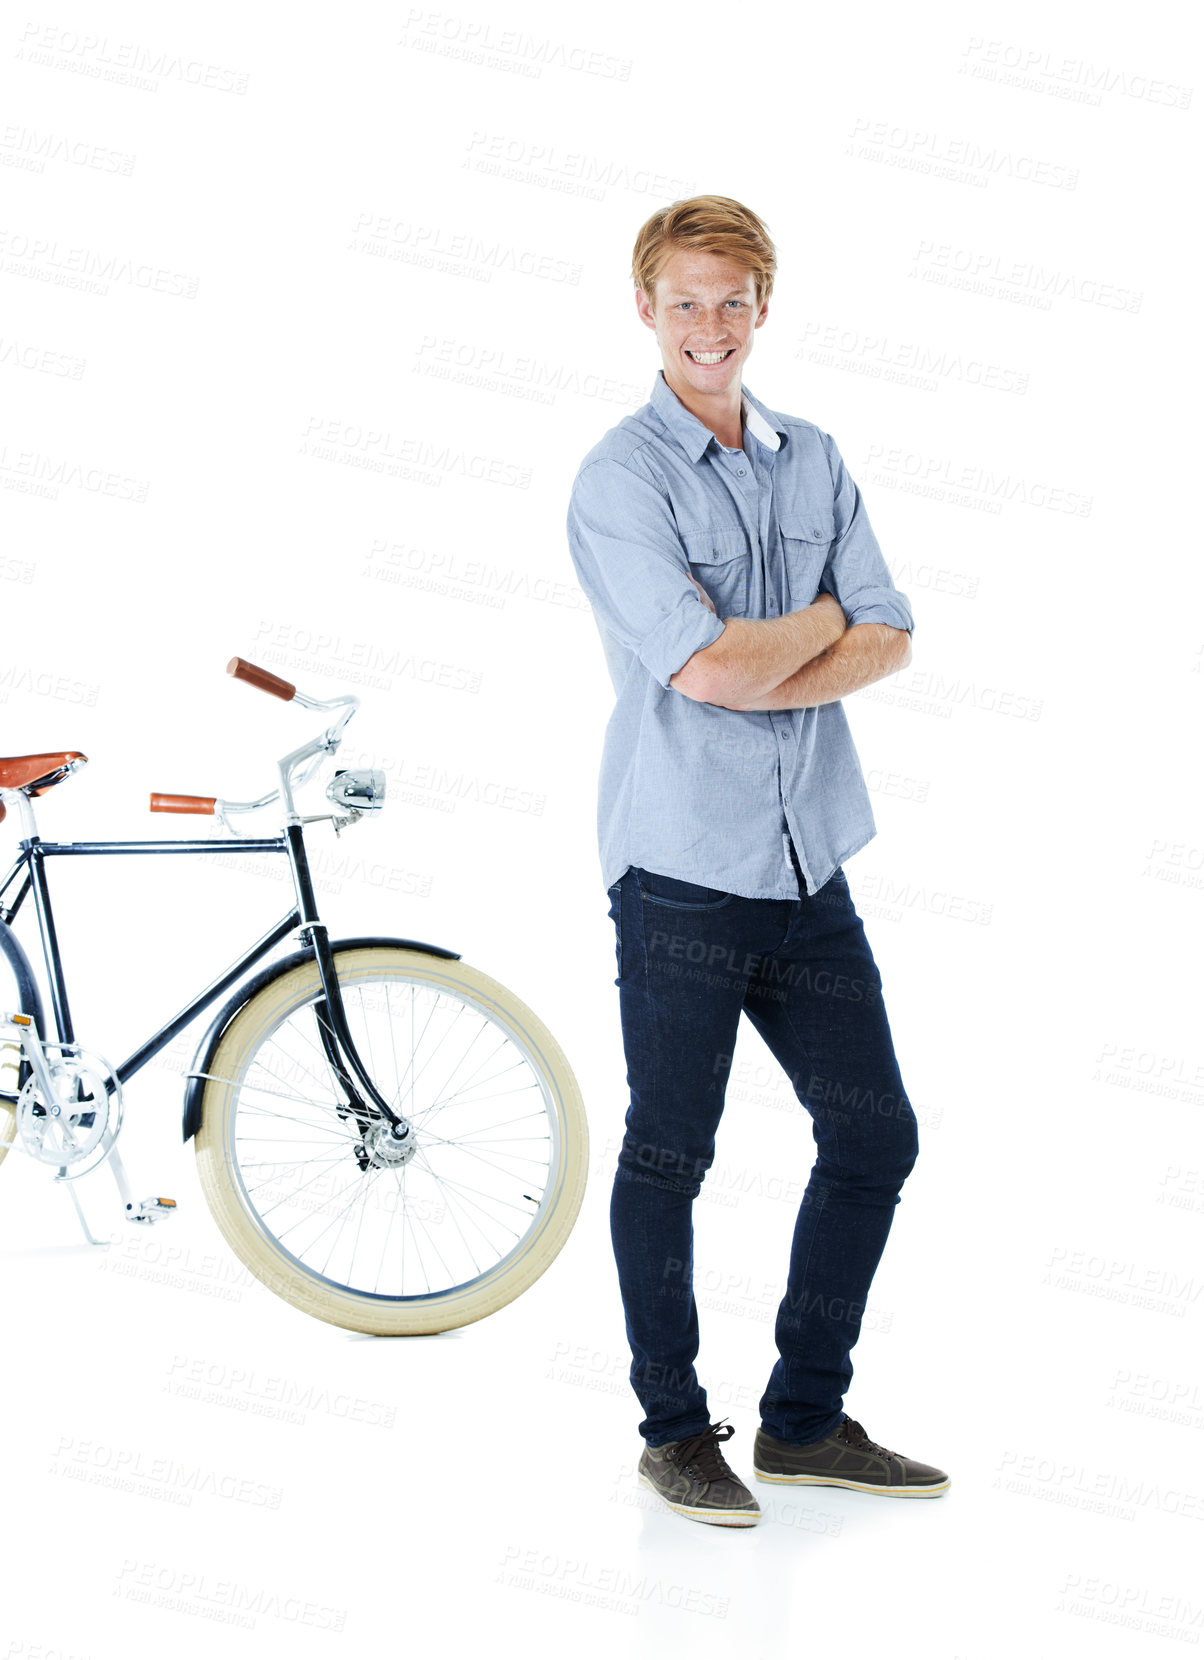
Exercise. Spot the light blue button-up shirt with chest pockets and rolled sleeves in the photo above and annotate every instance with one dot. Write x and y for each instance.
(690, 789)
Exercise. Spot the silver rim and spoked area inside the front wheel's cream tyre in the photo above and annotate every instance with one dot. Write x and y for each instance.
(343, 1206)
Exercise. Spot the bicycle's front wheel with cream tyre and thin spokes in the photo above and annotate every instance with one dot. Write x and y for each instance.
(323, 1206)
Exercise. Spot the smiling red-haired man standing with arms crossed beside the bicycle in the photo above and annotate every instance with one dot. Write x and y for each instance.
(740, 593)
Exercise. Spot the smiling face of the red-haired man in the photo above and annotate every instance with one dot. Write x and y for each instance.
(703, 311)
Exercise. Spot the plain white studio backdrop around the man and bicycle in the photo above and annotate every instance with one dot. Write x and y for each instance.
(308, 321)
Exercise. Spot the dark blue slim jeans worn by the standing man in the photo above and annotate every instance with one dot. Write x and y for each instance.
(692, 960)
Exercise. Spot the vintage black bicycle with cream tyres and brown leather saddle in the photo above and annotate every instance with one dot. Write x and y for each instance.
(388, 1138)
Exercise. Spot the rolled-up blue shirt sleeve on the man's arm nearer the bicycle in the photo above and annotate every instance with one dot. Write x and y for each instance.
(634, 570)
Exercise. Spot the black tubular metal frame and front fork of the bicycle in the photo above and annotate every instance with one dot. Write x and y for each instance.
(331, 1017)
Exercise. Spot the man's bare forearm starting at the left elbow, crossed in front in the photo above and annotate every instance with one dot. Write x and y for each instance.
(755, 658)
